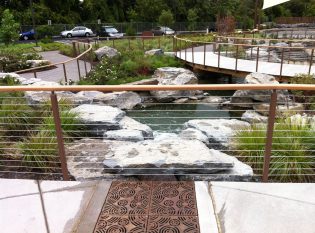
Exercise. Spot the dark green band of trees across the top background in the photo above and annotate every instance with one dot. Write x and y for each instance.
(76, 11)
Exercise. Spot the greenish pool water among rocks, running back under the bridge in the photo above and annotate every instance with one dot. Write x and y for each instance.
(170, 117)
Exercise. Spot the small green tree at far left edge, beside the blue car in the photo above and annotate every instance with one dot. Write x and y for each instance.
(8, 28)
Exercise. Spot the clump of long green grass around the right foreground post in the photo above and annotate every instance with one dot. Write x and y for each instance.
(292, 151)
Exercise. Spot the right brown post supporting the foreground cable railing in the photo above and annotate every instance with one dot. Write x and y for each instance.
(269, 137)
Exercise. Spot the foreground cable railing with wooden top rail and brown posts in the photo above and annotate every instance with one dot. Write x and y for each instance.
(256, 132)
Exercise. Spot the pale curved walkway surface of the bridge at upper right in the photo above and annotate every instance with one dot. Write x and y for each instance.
(228, 63)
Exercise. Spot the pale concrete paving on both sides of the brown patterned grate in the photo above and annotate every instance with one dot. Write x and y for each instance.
(28, 206)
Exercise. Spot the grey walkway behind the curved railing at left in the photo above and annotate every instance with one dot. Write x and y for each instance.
(57, 74)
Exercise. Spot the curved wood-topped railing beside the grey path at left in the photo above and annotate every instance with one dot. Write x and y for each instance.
(83, 52)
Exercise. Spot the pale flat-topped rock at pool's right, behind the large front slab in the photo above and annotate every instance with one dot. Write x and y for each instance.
(218, 130)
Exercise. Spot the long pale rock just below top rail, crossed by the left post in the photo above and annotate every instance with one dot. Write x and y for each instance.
(37, 98)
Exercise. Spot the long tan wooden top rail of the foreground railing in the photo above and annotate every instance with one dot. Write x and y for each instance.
(109, 88)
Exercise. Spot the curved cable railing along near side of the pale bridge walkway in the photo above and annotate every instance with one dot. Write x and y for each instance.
(240, 56)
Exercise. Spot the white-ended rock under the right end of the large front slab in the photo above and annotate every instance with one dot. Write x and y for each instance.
(240, 172)
